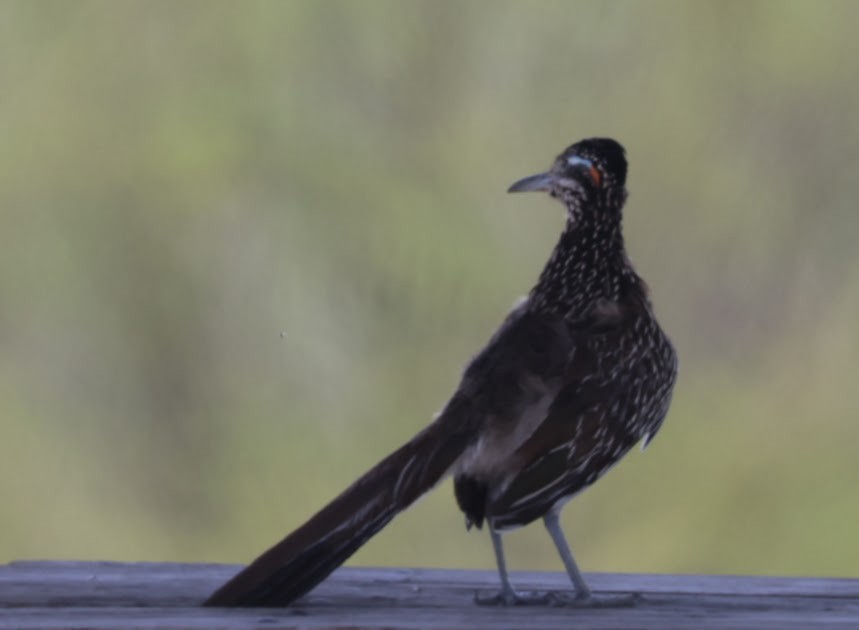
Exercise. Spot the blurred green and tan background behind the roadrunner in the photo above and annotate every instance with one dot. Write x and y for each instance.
(181, 182)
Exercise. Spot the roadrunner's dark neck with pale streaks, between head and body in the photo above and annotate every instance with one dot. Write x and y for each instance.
(587, 267)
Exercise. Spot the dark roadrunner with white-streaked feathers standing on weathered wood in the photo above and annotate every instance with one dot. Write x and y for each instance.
(578, 373)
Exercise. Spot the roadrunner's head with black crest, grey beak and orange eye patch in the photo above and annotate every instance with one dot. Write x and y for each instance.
(590, 173)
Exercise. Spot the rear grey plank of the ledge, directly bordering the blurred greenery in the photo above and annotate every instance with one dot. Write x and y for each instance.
(92, 583)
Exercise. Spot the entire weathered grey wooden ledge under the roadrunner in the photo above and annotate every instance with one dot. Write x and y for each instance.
(52, 595)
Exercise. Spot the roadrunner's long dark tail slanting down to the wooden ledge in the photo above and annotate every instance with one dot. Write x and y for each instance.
(309, 554)
